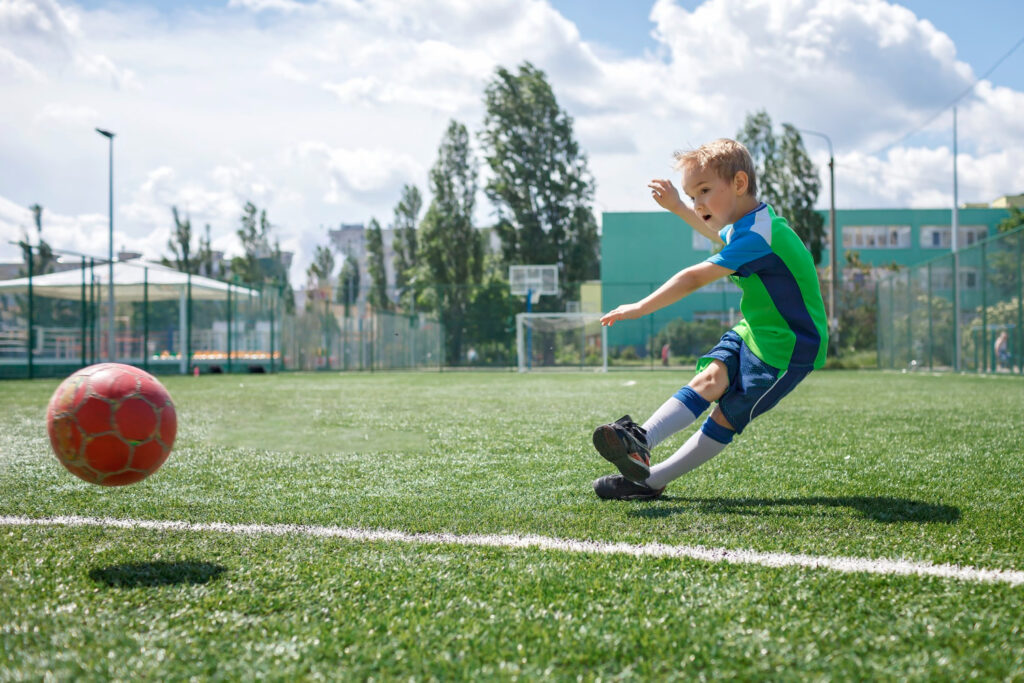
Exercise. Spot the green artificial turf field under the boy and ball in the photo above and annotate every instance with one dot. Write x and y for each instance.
(923, 468)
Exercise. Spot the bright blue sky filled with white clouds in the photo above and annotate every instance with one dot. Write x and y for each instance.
(320, 111)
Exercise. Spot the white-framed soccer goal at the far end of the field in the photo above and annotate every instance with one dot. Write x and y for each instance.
(570, 341)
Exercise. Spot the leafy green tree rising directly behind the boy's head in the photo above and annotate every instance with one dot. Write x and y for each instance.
(786, 178)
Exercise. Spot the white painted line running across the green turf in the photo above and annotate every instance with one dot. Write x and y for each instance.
(845, 565)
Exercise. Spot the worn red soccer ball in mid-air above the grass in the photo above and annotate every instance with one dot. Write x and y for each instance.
(112, 424)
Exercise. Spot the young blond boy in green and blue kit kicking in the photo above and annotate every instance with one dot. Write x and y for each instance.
(782, 338)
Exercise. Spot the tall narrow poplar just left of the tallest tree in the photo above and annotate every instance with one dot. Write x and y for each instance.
(451, 249)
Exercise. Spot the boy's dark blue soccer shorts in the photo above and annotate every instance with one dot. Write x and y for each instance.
(755, 387)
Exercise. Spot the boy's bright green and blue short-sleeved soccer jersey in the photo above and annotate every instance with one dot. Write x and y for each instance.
(784, 316)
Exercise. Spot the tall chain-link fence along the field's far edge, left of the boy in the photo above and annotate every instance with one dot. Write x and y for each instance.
(174, 323)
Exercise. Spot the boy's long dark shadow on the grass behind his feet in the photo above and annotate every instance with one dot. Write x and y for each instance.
(878, 508)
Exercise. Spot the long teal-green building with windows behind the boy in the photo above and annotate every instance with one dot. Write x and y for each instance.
(642, 250)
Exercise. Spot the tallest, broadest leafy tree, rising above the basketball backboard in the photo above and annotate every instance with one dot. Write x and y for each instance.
(540, 183)
